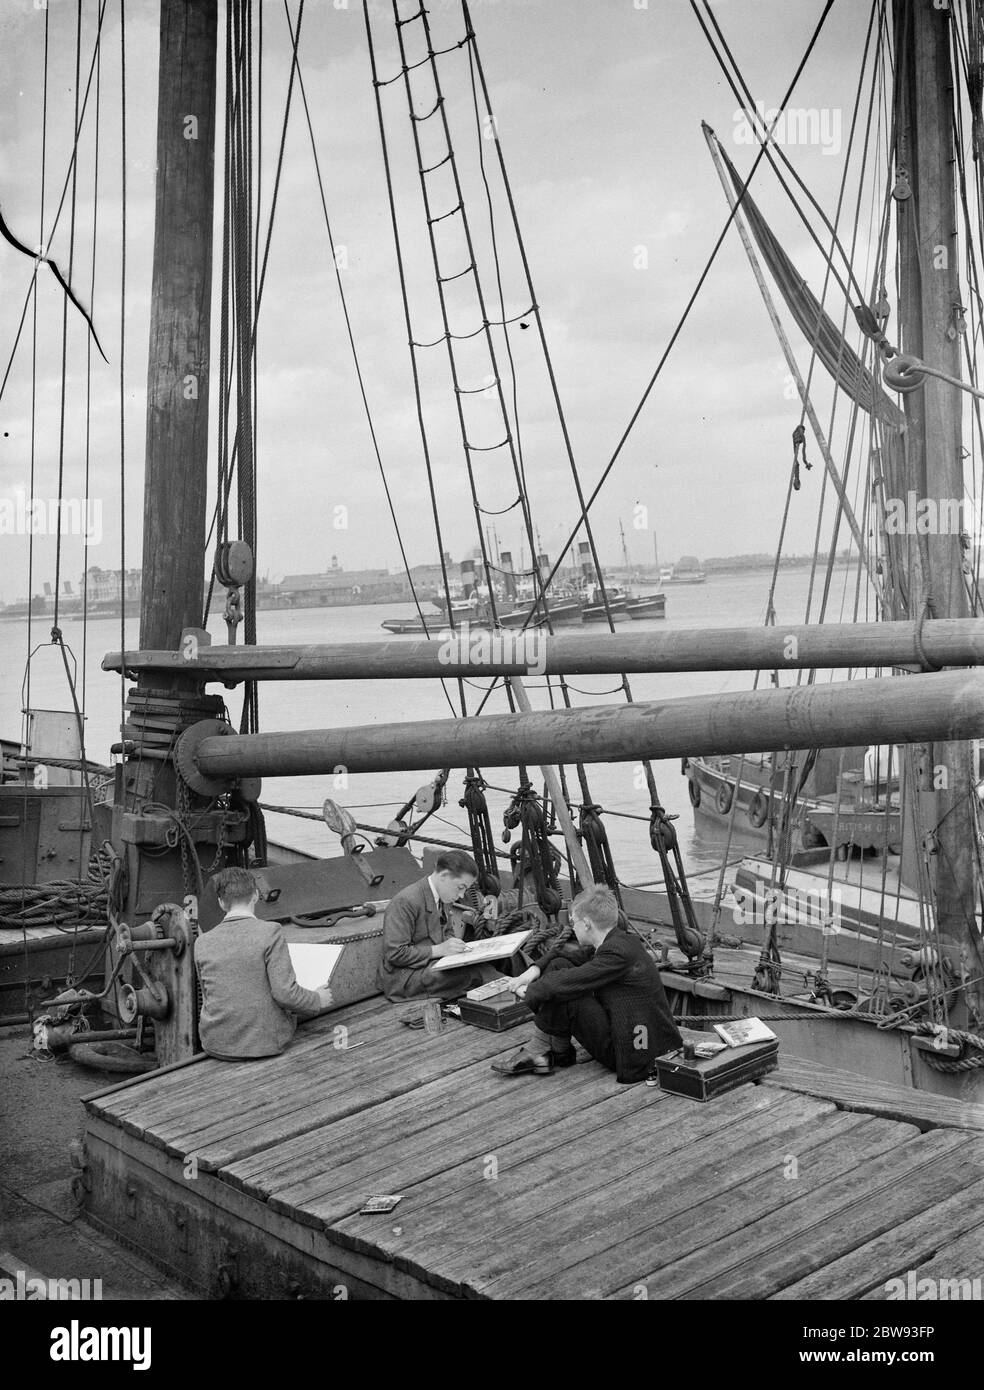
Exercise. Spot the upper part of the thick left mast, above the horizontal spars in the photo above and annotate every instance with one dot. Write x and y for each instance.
(174, 507)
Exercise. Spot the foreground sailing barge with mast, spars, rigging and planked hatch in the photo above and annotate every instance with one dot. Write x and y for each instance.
(251, 1181)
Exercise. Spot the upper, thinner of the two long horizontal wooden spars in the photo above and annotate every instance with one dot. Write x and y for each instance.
(829, 646)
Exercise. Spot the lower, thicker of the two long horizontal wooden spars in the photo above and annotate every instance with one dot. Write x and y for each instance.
(892, 711)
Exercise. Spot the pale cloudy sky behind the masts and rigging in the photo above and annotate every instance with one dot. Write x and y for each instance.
(598, 109)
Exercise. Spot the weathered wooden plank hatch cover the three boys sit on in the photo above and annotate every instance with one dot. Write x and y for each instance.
(247, 1179)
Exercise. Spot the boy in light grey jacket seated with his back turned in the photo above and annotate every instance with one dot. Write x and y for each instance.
(249, 990)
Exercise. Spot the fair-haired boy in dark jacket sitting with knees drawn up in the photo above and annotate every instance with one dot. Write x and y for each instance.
(607, 993)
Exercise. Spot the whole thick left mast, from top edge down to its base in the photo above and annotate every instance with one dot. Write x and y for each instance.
(151, 806)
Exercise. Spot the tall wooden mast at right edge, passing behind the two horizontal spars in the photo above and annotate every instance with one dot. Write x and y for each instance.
(930, 325)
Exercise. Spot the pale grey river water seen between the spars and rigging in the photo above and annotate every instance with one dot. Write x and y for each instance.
(725, 601)
